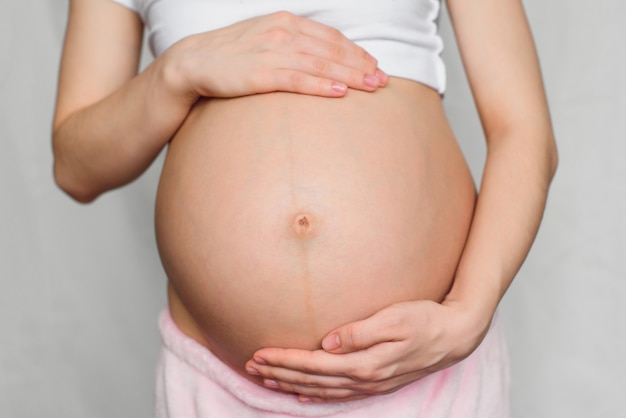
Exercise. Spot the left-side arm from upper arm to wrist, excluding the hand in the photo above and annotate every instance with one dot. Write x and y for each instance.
(109, 125)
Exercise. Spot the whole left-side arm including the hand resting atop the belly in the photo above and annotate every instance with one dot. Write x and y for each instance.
(111, 123)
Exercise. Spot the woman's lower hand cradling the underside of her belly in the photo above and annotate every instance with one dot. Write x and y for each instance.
(381, 354)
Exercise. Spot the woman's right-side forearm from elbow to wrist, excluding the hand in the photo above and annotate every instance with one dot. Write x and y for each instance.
(510, 205)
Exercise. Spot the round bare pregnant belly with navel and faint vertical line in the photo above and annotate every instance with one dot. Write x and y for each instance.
(281, 216)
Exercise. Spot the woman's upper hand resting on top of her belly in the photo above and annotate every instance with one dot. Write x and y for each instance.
(277, 52)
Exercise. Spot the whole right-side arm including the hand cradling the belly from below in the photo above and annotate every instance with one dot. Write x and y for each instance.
(408, 341)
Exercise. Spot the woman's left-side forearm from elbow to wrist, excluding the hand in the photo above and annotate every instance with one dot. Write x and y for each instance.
(111, 142)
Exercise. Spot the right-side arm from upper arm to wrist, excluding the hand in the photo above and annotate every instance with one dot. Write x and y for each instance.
(503, 70)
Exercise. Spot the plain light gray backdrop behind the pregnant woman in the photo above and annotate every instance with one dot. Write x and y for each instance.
(82, 285)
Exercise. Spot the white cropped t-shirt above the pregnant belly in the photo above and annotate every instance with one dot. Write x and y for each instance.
(401, 34)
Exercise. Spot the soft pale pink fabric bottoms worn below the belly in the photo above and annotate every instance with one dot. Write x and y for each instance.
(193, 383)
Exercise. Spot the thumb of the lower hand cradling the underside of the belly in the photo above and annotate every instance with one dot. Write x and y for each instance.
(358, 335)
